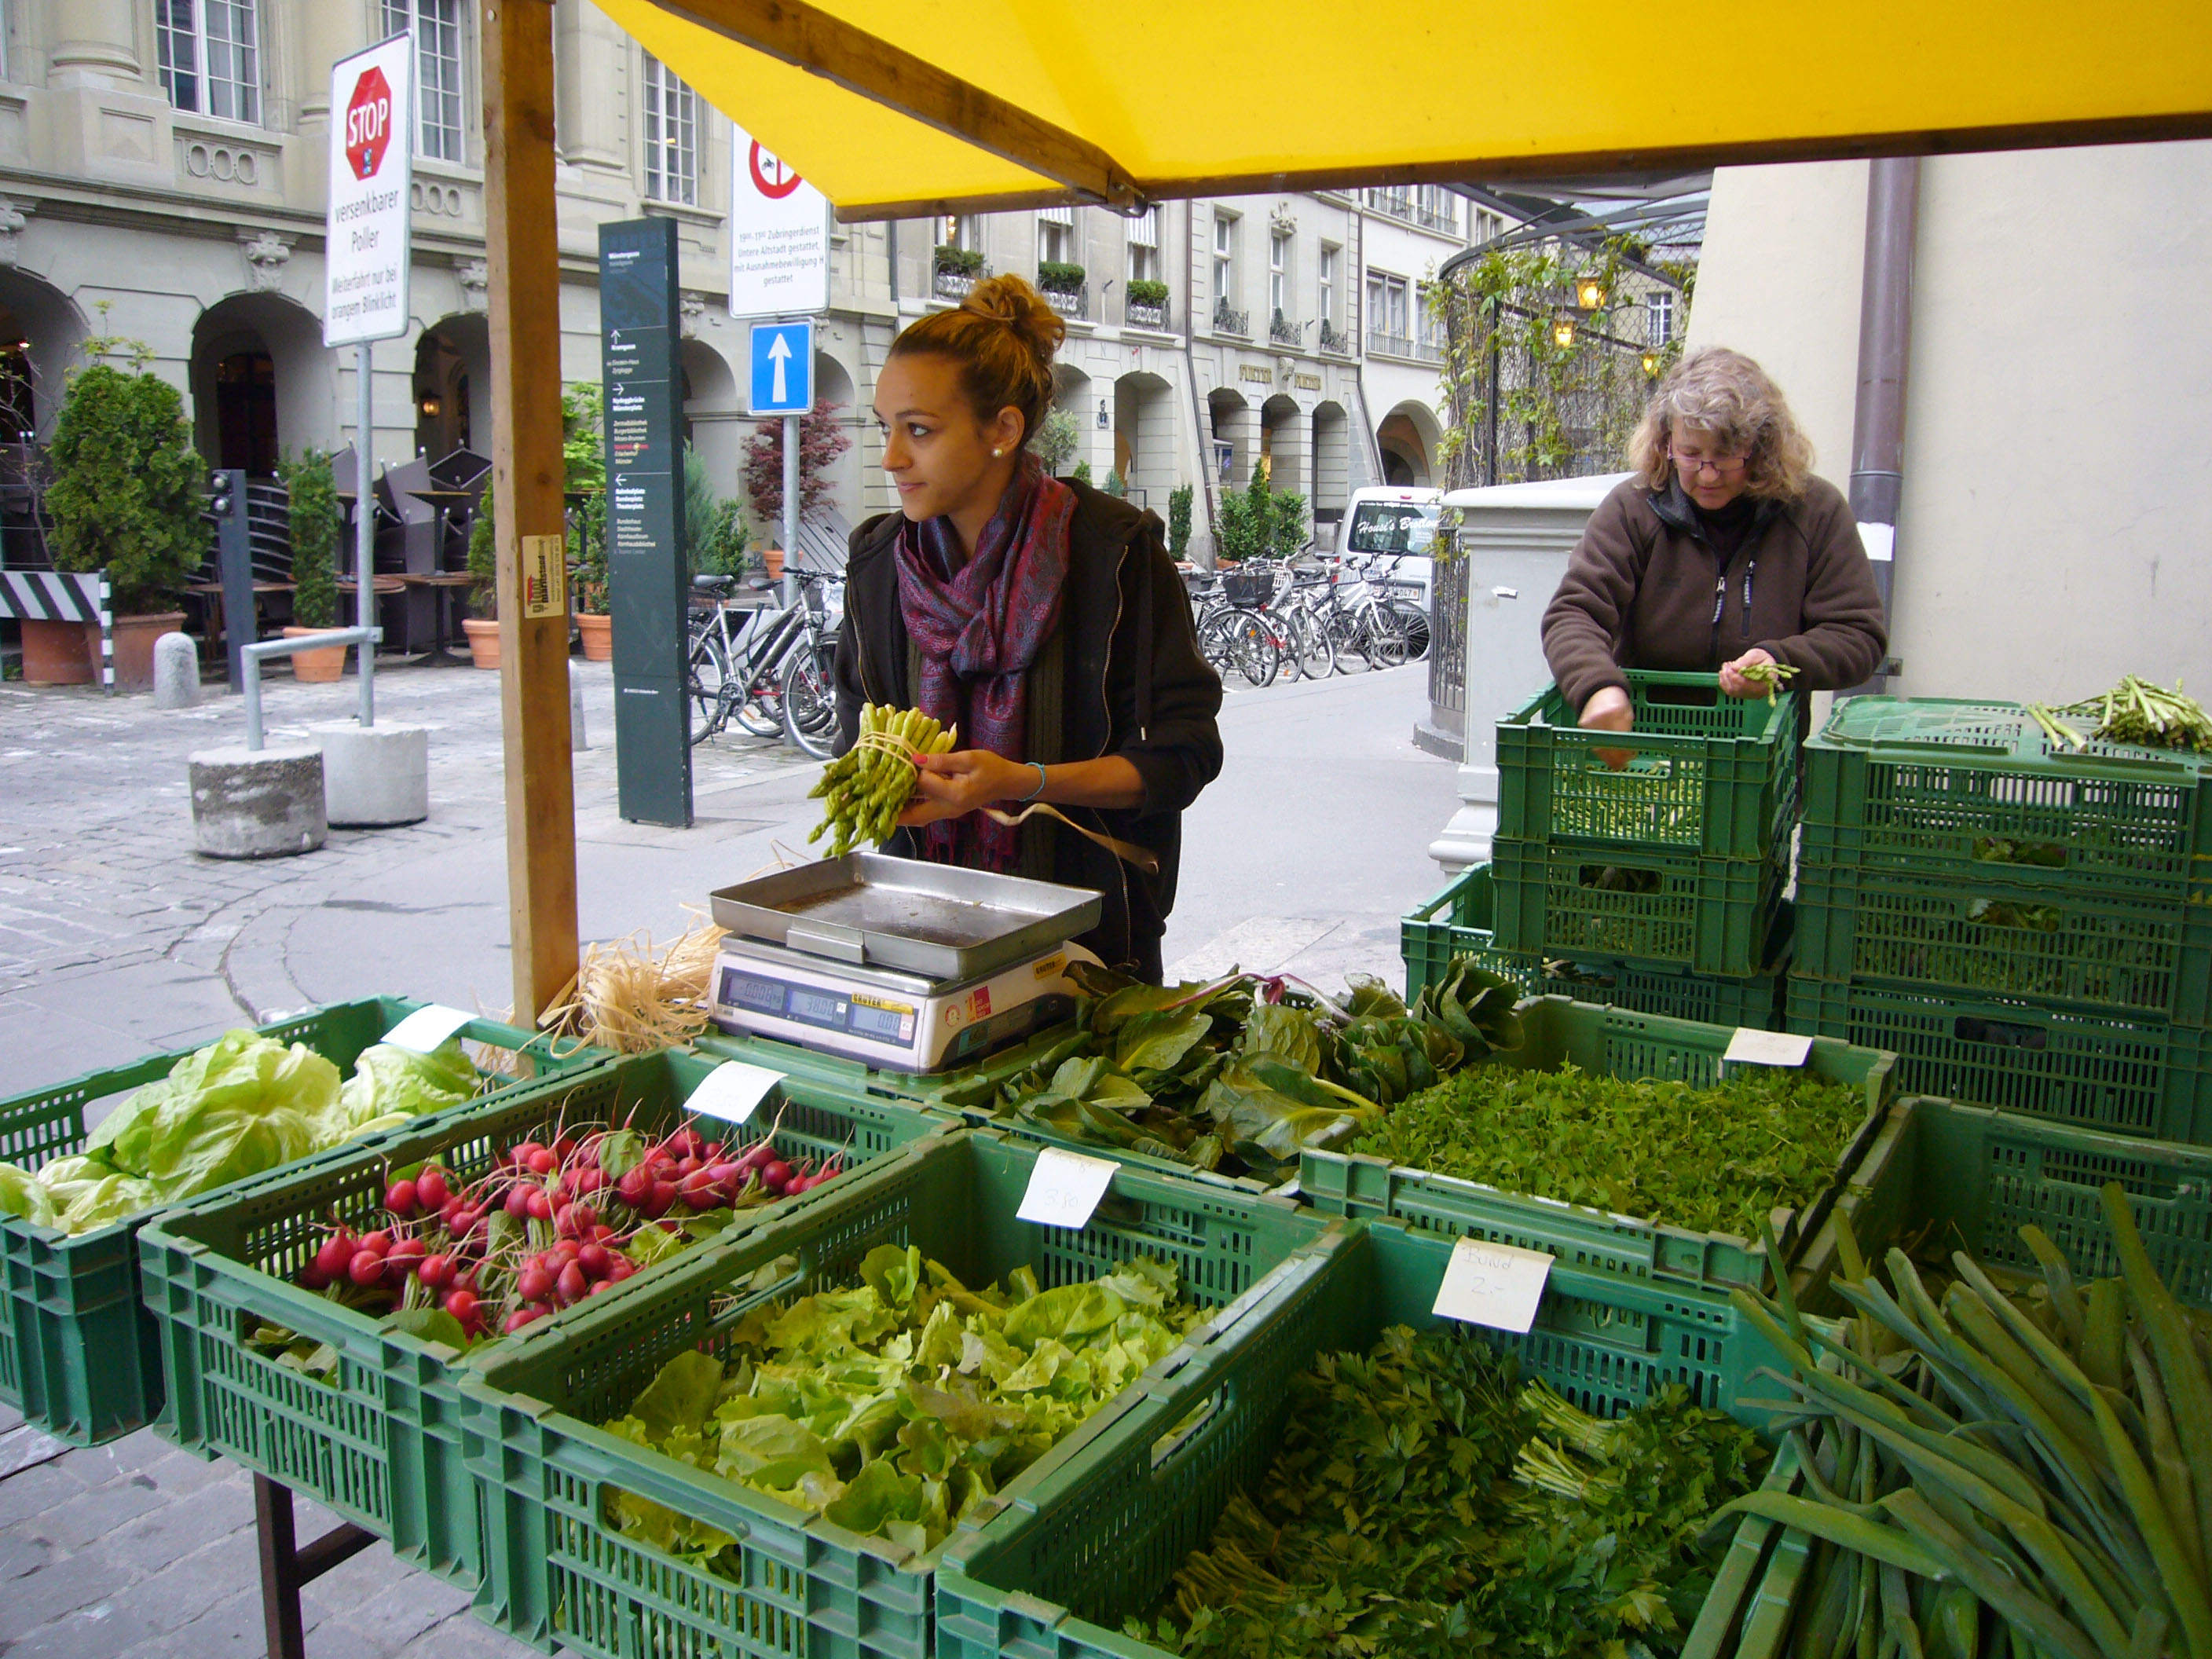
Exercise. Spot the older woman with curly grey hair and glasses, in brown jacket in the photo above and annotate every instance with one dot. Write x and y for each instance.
(1720, 552)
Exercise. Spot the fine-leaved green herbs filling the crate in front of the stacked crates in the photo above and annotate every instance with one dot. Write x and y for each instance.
(1711, 1160)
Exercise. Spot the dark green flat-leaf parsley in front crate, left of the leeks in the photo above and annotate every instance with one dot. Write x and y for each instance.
(1426, 1507)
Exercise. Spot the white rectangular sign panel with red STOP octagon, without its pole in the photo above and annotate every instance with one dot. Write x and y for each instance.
(366, 249)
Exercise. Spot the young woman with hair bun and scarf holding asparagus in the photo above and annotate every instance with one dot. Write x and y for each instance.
(1041, 618)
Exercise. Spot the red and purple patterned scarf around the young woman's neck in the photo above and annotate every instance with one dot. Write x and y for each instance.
(979, 629)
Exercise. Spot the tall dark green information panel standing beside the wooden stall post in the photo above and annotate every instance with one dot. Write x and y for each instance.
(645, 519)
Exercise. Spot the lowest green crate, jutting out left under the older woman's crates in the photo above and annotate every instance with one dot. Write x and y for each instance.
(1459, 924)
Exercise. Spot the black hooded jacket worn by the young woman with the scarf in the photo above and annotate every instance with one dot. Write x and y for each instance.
(1123, 676)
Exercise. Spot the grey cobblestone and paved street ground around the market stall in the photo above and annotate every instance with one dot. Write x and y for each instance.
(118, 941)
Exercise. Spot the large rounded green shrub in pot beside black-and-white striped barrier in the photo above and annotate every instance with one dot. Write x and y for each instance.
(127, 497)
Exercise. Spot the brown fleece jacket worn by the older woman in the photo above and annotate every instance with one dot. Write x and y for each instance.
(1645, 589)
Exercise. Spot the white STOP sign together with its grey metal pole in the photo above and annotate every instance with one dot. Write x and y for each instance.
(366, 262)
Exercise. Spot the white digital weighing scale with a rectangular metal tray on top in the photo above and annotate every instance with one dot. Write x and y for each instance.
(897, 963)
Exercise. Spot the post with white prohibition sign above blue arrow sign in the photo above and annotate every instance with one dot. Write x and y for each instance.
(780, 267)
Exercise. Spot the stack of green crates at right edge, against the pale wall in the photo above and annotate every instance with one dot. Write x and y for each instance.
(2025, 924)
